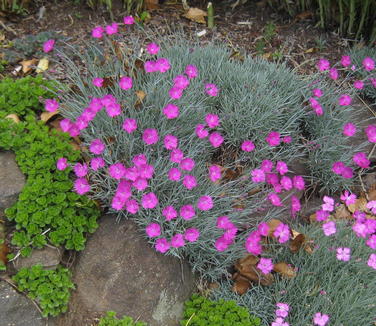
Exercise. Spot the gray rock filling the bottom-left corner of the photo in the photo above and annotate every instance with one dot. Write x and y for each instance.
(16, 309)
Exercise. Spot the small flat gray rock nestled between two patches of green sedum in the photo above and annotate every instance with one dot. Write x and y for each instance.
(48, 257)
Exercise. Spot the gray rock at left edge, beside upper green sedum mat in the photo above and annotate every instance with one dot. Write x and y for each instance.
(11, 181)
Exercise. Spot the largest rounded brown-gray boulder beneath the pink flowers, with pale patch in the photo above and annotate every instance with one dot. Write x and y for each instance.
(118, 270)
